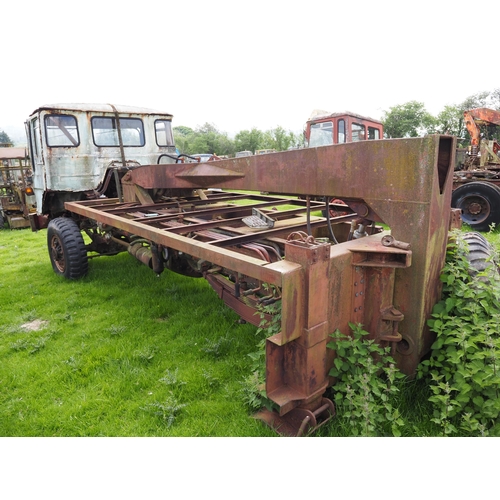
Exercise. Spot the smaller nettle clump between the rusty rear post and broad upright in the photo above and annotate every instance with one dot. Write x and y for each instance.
(366, 384)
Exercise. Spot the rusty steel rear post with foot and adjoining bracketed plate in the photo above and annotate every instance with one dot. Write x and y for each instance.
(297, 368)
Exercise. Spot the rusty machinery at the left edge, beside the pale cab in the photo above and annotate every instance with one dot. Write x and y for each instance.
(16, 193)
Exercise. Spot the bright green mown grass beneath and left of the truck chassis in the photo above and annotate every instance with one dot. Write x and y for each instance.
(125, 353)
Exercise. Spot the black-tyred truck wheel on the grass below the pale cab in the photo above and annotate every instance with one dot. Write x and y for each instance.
(67, 248)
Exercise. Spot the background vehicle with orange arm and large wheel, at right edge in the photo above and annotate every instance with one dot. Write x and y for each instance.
(476, 181)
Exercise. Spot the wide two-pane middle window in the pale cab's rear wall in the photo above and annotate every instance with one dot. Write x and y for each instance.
(105, 131)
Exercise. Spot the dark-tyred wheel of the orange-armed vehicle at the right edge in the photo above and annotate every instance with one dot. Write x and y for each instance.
(480, 204)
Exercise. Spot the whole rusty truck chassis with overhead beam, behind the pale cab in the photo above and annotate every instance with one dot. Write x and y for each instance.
(388, 280)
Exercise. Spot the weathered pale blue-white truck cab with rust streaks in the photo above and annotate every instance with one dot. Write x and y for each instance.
(78, 151)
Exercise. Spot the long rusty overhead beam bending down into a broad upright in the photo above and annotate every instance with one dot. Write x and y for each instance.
(413, 197)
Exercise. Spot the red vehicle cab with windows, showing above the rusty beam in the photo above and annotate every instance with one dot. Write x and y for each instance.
(325, 129)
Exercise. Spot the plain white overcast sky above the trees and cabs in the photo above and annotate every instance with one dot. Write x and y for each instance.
(244, 64)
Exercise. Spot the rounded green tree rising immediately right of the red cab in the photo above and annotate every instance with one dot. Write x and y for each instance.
(408, 120)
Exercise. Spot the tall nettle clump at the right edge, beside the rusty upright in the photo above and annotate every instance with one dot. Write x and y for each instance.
(463, 370)
